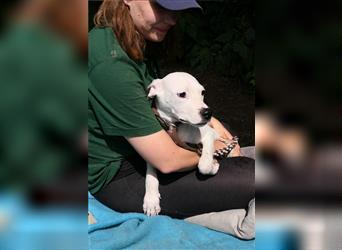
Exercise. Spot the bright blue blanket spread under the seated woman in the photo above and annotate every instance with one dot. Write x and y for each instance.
(115, 230)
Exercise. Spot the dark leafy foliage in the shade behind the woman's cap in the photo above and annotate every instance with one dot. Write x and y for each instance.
(222, 38)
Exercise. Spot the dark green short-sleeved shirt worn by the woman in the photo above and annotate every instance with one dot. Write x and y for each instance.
(118, 106)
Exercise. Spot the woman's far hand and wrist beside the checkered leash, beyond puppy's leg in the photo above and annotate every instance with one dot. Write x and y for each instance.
(224, 134)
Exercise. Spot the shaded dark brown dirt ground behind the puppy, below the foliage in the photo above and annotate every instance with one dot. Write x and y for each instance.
(232, 102)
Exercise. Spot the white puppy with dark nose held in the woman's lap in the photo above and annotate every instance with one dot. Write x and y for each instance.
(179, 100)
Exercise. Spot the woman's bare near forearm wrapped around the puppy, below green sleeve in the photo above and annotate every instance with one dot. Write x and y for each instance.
(160, 151)
